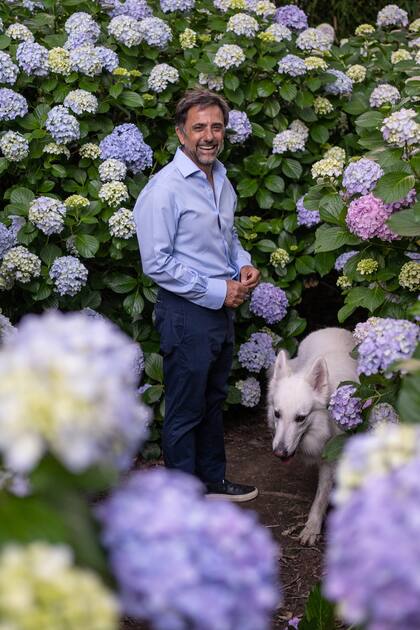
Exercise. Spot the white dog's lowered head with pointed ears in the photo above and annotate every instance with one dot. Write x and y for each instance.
(292, 397)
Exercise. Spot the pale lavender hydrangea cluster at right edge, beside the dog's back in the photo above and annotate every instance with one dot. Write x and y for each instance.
(382, 341)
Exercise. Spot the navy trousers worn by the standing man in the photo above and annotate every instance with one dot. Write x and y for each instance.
(197, 346)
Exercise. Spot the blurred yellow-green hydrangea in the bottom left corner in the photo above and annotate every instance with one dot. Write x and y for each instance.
(41, 587)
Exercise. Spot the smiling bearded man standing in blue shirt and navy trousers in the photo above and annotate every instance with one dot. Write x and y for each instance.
(189, 247)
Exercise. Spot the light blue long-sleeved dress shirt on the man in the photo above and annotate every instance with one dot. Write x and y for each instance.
(188, 242)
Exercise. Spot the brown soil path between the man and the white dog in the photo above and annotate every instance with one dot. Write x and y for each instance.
(285, 495)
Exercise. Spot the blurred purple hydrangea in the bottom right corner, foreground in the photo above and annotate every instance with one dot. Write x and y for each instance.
(375, 578)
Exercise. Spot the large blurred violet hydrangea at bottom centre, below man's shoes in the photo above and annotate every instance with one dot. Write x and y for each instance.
(224, 561)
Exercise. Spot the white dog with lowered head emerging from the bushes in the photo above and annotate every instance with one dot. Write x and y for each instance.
(298, 396)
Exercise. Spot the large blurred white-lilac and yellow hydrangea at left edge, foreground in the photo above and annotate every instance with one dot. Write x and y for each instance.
(77, 393)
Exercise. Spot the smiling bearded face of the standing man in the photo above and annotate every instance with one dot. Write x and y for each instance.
(202, 135)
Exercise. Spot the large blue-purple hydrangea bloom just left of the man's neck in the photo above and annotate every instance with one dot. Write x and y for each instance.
(126, 143)
